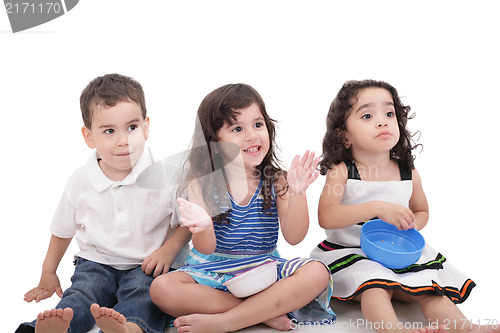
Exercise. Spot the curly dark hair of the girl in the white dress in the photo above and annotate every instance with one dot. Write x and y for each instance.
(334, 150)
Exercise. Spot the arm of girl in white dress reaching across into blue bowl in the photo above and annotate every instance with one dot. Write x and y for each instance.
(333, 215)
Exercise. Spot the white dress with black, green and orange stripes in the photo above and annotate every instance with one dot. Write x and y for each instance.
(354, 273)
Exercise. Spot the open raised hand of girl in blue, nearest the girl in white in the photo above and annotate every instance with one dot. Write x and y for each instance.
(302, 173)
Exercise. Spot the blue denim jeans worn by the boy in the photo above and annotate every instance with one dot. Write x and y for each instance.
(125, 291)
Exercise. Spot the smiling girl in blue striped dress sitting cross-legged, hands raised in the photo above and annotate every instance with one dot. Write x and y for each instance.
(234, 177)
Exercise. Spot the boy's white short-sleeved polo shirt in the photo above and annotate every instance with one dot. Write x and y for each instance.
(115, 223)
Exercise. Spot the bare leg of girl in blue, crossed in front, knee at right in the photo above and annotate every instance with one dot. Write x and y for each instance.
(284, 296)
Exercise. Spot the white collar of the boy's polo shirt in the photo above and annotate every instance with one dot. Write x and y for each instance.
(101, 182)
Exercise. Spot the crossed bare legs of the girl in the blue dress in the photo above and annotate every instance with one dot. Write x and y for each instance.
(201, 308)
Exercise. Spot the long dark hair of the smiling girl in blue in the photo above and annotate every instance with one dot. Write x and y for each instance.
(218, 108)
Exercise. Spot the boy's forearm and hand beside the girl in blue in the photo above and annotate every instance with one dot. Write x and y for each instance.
(160, 260)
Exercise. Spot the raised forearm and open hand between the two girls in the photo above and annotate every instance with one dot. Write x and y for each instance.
(292, 206)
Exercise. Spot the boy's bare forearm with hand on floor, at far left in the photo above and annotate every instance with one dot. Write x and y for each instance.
(49, 282)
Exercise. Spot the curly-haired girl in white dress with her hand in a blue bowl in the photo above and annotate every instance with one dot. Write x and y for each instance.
(369, 171)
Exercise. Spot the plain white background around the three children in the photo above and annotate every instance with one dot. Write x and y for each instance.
(441, 56)
